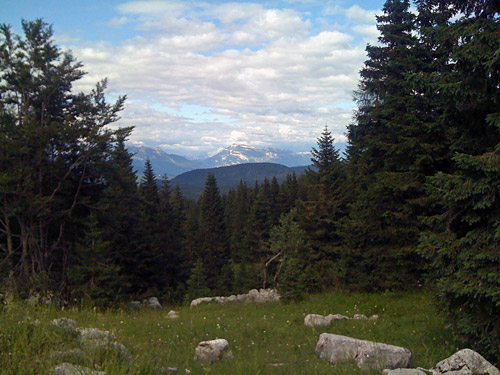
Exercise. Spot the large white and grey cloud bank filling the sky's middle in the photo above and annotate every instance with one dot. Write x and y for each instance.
(264, 77)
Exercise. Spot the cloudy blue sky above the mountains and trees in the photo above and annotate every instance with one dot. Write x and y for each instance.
(202, 75)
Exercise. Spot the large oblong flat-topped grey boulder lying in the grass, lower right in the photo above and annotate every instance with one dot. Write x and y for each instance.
(366, 354)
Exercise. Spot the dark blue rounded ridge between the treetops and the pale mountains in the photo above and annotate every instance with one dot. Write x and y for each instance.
(192, 183)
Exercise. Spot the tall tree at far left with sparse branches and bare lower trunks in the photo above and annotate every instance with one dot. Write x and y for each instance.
(54, 143)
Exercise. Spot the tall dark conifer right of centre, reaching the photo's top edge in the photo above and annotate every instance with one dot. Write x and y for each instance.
(391, 151)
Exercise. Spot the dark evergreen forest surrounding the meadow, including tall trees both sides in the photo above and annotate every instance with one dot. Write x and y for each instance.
(415, 201)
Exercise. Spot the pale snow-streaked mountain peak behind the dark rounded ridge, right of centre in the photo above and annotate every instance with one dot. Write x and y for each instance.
(239, 154)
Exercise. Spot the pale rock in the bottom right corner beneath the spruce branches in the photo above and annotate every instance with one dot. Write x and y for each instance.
(465, 362)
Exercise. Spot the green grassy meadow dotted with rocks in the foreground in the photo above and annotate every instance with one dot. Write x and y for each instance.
(259, 335)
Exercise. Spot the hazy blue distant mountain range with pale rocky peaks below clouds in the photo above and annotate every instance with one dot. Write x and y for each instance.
(173, 165)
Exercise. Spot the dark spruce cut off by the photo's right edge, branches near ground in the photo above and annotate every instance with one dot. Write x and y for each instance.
(462, 241)
